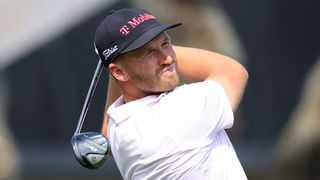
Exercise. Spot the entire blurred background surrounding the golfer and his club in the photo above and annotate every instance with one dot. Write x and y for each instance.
(47, 61)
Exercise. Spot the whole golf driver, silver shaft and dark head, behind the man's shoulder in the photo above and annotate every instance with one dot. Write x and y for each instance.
(90, 148)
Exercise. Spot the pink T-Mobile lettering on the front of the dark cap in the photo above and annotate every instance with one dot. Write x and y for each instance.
(125, 30)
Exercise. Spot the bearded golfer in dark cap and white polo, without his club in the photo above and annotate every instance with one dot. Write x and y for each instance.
(157, 127)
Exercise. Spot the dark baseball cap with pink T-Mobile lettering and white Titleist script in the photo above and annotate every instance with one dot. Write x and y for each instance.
(125, 30)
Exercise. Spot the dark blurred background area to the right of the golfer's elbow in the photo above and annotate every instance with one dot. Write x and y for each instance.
(282, 42)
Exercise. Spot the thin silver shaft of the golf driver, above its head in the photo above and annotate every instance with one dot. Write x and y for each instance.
(90, 93)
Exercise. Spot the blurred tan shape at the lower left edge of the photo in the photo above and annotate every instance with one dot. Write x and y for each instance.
(9, 156)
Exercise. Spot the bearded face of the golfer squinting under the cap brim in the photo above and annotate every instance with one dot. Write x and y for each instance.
(153, 68)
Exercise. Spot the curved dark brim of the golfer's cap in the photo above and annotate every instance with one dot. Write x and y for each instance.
(148, 36)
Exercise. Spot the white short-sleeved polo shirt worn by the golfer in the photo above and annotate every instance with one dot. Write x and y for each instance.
(175, 135)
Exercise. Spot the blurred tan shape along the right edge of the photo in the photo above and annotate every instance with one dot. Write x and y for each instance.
(297, 153)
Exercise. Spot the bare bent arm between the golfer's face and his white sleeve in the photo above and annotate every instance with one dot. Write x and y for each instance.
(197, 65)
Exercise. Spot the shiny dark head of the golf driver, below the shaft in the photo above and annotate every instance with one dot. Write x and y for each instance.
(90, 149)
